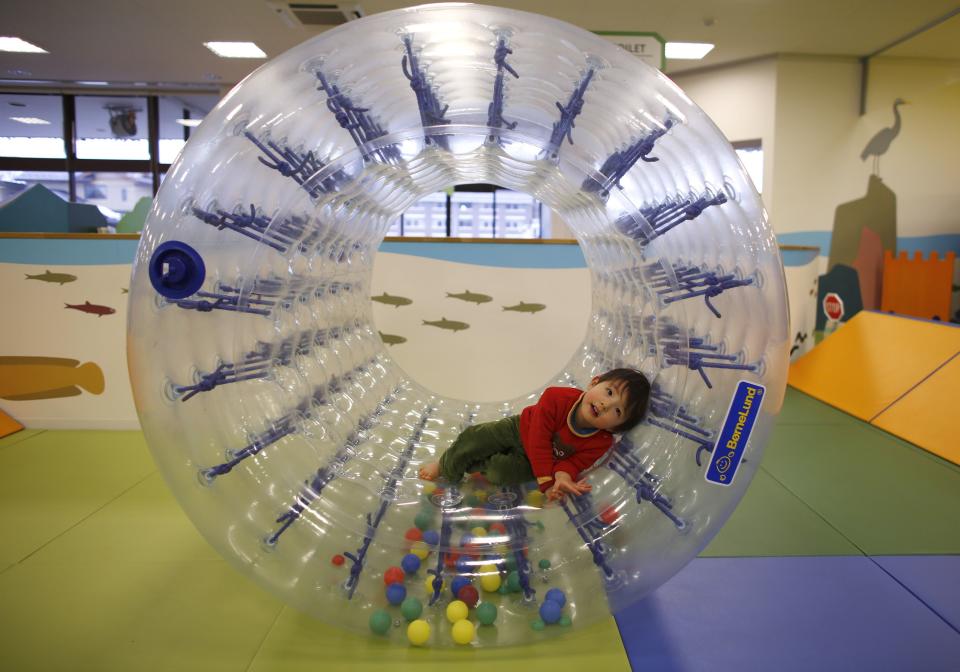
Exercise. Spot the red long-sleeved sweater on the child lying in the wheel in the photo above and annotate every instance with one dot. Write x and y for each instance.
(550, 441)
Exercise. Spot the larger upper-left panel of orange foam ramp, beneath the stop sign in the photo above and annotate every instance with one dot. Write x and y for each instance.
(873, 360)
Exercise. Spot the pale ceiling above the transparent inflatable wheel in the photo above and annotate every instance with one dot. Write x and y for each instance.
(159, 43)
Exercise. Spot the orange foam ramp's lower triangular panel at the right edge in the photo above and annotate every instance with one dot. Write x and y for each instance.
(926, 415)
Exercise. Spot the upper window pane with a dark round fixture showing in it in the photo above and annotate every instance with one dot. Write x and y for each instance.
(112, 127)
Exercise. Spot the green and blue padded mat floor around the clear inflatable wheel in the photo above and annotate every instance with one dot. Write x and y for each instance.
(844, 555)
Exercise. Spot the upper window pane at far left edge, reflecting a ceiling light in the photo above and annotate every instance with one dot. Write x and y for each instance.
(31, 126)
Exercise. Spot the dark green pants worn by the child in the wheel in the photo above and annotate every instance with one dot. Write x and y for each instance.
(493, 448)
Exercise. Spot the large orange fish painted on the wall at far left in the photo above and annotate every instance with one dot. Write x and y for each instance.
(31, 378)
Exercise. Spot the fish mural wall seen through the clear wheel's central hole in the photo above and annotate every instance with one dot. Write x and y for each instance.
(481, 330)
